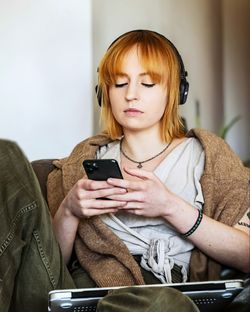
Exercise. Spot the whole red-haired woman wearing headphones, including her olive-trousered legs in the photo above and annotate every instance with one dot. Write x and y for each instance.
(178, 214)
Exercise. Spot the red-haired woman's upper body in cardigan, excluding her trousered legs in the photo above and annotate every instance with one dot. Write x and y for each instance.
(182, 196)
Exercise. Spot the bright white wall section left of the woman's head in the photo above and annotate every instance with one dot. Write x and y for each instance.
(45, 75)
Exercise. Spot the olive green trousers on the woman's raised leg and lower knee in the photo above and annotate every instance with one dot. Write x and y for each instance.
(31, 263)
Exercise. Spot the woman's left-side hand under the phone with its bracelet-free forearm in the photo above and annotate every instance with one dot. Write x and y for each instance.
(83, 201)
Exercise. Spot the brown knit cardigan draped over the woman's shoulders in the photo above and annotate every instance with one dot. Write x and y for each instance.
(226, 189)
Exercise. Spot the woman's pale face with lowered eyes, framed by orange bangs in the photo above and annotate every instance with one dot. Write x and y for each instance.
(137, 102)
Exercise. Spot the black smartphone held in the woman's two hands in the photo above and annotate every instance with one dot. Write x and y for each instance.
(102, 169)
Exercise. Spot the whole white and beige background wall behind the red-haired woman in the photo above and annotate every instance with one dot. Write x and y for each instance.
(47, 64)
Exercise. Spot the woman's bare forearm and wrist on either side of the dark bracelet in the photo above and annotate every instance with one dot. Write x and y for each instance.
(223, 243)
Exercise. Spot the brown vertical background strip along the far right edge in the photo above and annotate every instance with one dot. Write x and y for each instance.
(236, 59)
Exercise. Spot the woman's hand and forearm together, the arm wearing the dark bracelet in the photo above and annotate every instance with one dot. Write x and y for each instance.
(149, 197)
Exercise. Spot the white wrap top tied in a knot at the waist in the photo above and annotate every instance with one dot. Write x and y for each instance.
(153, 238)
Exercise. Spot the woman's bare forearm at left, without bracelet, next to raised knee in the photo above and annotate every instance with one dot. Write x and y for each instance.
(65, 226)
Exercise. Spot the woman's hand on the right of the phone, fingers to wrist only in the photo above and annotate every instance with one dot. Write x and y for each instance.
(147, 196)
